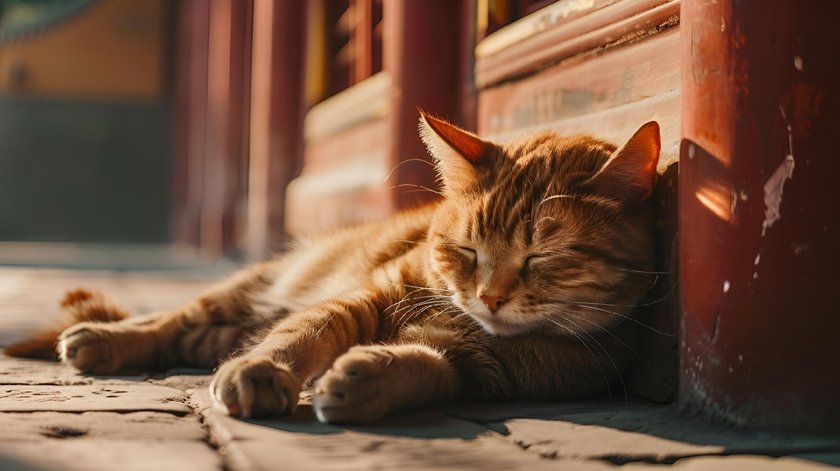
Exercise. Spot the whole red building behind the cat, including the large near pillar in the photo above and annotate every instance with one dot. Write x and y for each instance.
(171, 132)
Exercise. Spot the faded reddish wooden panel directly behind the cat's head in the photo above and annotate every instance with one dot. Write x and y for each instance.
(609, 96)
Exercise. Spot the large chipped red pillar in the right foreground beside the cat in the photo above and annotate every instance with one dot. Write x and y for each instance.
(760, 211)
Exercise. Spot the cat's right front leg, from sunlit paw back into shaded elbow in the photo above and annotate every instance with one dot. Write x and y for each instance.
(438, 365)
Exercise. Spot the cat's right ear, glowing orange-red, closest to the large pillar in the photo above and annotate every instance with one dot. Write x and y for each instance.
(630, 173)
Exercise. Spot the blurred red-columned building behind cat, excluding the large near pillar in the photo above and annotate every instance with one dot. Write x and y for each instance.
(225, 126)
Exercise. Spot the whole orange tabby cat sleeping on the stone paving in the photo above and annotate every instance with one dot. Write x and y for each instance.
(519, 284)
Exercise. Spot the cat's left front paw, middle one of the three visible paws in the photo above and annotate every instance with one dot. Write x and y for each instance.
(255, 386)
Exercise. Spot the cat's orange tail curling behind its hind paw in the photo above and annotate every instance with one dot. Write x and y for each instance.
(79, 305)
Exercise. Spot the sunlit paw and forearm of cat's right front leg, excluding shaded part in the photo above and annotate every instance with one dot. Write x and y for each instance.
(367, 383)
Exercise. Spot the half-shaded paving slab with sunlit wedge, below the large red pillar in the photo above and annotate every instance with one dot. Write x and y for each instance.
(620, 432)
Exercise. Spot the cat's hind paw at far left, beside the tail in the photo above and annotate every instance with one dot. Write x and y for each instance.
(90, 348)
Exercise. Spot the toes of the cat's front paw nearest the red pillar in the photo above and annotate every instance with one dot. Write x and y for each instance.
(355, 389)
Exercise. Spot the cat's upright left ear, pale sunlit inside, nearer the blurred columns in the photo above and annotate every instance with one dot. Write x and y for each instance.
(457, 153)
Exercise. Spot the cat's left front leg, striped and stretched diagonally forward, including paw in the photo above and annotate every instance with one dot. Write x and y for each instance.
(268, 379)
